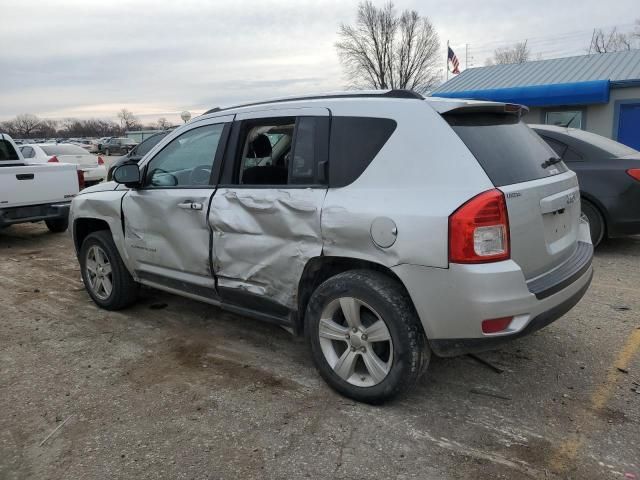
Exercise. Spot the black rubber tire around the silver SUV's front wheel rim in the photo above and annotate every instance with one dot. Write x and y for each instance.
(124, 288)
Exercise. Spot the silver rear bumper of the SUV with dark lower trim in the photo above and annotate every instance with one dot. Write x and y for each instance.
(453, 302)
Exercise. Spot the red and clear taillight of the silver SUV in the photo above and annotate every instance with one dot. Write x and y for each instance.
(479, 230)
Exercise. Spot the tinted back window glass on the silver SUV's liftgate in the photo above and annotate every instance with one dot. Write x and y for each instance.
(505, 147)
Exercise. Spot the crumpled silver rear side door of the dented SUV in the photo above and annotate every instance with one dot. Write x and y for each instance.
(263, 235)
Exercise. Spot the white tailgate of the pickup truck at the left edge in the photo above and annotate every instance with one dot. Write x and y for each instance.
(37, 184)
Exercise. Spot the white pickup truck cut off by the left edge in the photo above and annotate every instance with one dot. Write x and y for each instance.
(33, 193)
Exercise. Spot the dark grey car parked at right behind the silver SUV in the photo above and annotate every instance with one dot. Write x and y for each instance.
(609, 176)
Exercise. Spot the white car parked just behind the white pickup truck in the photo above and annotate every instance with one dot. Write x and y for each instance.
(92, 165)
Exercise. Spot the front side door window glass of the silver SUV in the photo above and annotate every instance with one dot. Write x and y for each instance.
(187, 160)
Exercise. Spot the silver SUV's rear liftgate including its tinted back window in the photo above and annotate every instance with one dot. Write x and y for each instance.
(542, 195)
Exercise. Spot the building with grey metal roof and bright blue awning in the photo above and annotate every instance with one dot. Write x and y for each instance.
(599, 93)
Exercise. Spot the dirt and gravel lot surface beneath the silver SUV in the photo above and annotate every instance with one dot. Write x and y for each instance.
(176, 389)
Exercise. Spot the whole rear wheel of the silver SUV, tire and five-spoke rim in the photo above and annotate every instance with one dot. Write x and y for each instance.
(365, 337)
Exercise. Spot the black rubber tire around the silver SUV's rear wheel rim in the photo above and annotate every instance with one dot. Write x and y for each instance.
(386, 297)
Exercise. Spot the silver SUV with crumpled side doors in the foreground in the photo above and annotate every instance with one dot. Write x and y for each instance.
(384, 226)
